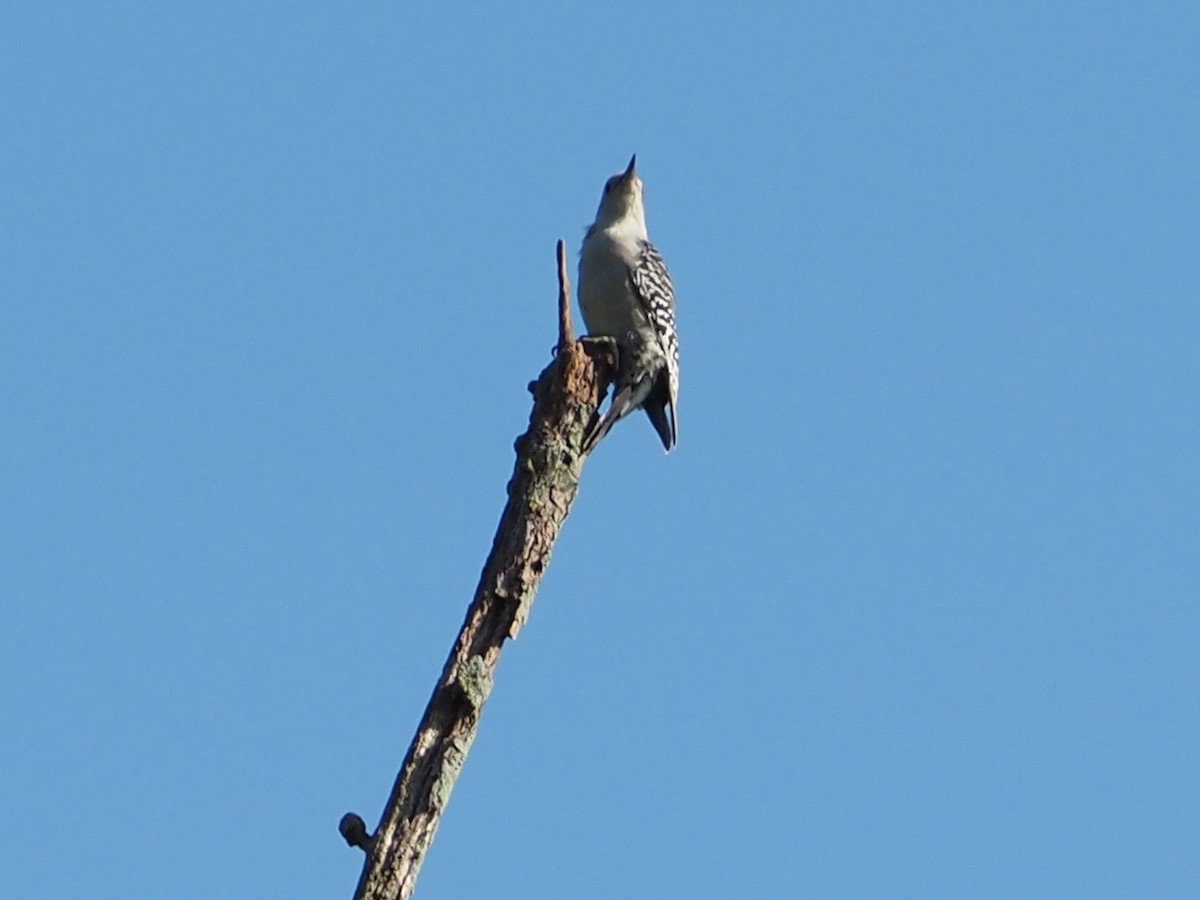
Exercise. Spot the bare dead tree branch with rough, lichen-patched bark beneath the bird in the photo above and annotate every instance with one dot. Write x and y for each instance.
(542, 491)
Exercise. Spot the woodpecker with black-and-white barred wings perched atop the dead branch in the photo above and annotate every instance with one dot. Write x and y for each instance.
(626, 296)
